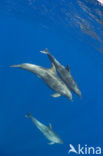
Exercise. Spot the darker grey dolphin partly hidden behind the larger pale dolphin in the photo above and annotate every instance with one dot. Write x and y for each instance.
(64, 73)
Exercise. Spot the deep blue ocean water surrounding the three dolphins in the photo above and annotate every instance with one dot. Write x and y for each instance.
(73, 32)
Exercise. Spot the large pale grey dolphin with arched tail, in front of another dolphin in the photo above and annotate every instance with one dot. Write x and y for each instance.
(49, 76)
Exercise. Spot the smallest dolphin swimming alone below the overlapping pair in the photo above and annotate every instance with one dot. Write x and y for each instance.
(47, 131)
